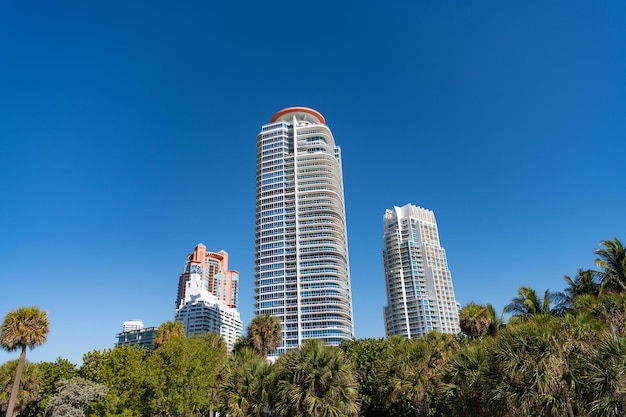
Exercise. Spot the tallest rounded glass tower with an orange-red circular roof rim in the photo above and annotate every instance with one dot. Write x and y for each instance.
(301, 249)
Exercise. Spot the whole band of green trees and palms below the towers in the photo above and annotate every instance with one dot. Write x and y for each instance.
(560, 354)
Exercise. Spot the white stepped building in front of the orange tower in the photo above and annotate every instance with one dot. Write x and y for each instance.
(201, 312)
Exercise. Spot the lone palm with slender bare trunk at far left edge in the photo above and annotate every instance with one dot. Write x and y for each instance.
(22, 328)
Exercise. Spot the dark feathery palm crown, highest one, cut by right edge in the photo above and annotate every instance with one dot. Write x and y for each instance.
(611, 261)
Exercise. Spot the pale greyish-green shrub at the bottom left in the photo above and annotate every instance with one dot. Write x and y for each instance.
(73, 396)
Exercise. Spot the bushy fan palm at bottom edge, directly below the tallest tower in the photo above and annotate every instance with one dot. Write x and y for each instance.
(315, 381)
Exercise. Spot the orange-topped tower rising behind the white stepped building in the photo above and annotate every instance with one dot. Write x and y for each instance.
(213, 268)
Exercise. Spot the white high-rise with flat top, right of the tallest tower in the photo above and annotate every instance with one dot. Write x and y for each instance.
(420, 297)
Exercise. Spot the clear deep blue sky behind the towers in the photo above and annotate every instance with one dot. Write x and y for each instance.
(128, 129)
